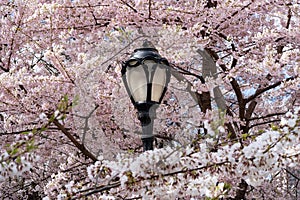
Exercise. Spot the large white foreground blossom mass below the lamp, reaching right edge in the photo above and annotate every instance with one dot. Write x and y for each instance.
(198, 171)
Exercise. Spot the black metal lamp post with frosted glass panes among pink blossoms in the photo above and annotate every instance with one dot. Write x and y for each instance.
(146, 76)
